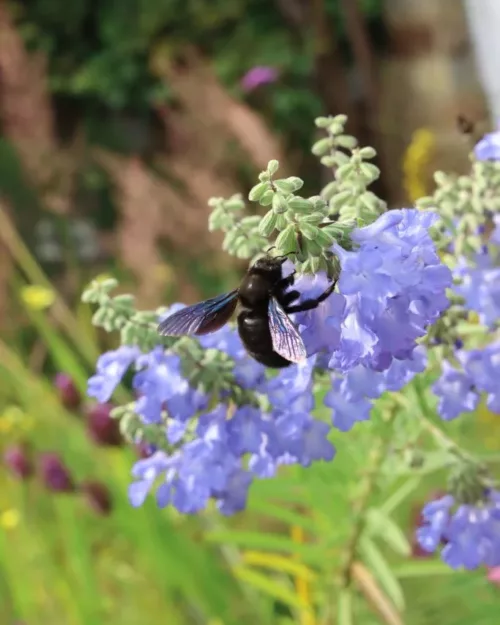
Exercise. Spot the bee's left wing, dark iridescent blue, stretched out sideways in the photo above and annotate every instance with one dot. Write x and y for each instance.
(201, 318)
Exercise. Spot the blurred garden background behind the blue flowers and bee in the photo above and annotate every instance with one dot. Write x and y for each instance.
(119, 120)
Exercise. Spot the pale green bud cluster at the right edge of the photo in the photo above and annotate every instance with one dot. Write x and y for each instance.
(465, 204)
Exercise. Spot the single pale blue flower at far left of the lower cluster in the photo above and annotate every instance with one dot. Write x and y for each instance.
(110, 369)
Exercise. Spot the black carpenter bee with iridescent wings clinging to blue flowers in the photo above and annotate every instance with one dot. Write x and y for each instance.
(265, 329)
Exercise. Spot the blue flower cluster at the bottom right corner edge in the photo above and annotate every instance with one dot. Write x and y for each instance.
(471, 533)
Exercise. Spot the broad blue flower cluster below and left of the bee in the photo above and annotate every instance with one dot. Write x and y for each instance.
(217, 455)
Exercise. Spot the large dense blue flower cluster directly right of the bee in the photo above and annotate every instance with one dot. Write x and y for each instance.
(392, 286)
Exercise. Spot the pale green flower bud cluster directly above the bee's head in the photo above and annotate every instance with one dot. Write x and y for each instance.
(305, 228)
